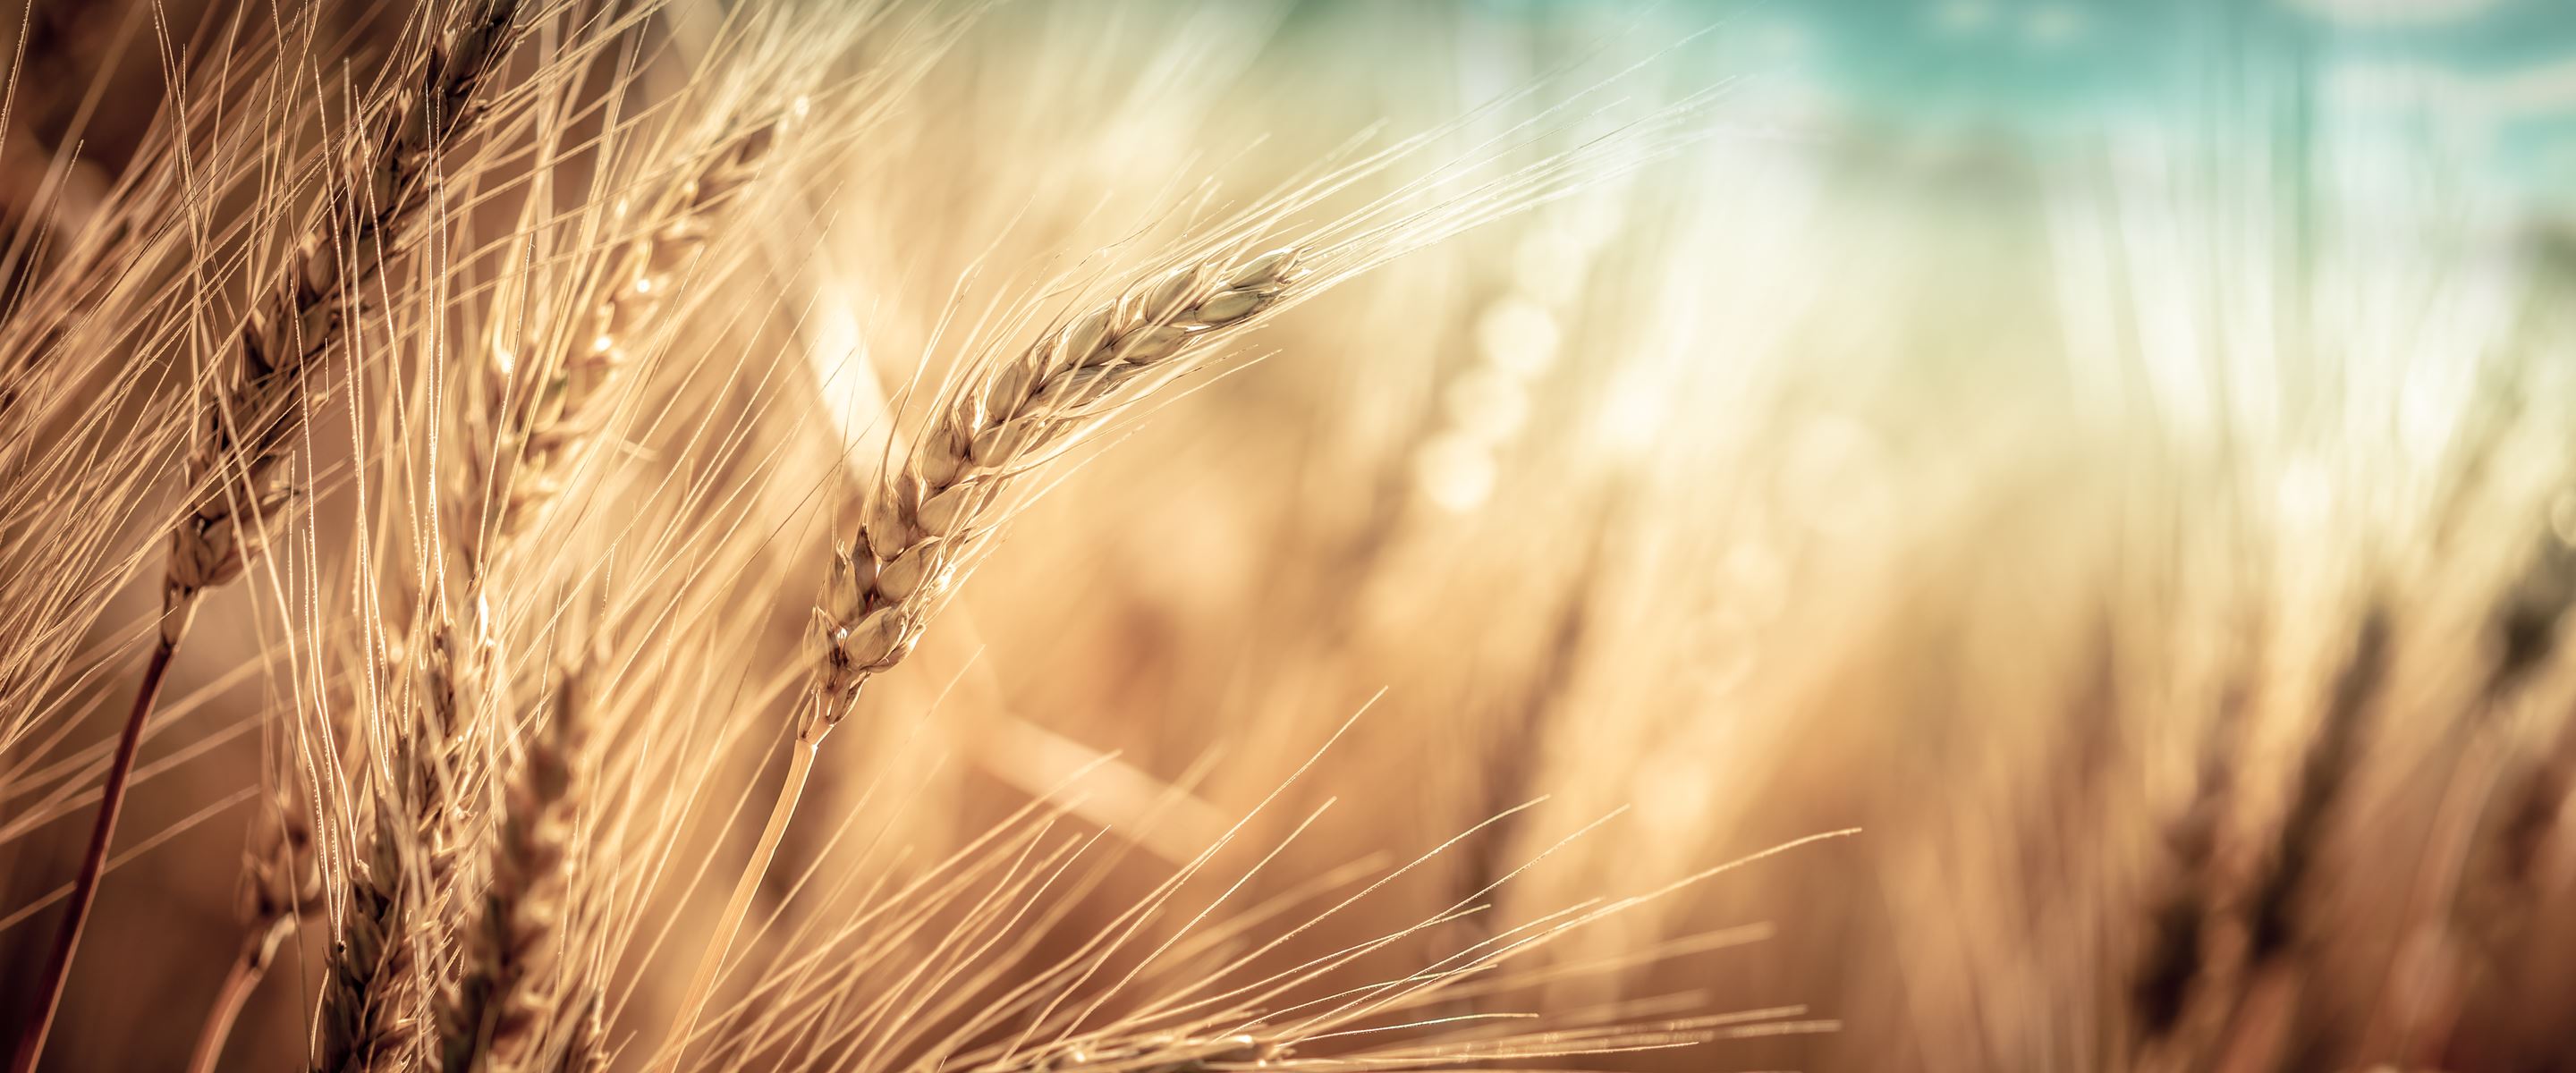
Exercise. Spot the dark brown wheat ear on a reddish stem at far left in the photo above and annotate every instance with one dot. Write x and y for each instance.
(246, 431)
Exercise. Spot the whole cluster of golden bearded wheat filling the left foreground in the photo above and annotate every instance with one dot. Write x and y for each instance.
(388, 310)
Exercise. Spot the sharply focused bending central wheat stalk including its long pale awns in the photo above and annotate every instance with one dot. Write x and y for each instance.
(1006, 418)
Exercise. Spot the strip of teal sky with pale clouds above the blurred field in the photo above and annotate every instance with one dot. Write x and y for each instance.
(2490, 84)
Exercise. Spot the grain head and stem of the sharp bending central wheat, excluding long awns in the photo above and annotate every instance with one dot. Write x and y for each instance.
(947, 498)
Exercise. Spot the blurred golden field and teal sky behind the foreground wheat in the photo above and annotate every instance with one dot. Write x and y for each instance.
(2111, 454)
